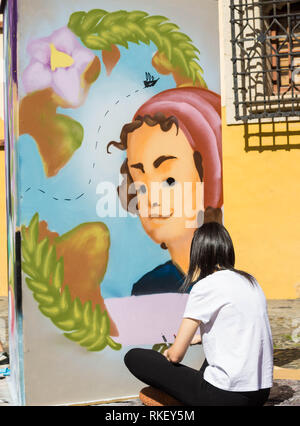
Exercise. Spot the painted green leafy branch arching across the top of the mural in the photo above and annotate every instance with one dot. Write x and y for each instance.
(99, 30)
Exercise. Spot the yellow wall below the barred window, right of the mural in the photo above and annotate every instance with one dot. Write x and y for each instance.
(262, 210)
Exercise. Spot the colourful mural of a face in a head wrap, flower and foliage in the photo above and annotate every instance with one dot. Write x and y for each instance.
(119, 161)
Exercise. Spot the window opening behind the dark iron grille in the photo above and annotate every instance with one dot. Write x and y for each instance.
(265, 38)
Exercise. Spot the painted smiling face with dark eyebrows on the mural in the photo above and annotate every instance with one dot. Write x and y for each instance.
(169, 190)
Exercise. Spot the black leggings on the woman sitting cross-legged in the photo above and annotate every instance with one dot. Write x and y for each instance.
(186, 384)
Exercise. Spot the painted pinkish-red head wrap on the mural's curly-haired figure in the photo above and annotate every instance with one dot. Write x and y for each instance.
(198, 112)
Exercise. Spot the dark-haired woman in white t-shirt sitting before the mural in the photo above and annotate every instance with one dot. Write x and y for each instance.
(231, 309)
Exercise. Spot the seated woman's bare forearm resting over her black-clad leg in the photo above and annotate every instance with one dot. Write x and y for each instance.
(183, 339)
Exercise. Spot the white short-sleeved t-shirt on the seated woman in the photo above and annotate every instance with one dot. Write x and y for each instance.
(235, 330)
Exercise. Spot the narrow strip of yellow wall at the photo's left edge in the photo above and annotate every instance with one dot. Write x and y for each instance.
(3, 253)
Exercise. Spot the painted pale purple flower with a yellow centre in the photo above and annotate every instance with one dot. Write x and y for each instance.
(58, 61)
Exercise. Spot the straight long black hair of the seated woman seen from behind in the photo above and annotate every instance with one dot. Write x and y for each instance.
(211, 250)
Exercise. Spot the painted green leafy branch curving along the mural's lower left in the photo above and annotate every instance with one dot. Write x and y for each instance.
(83, 325)
